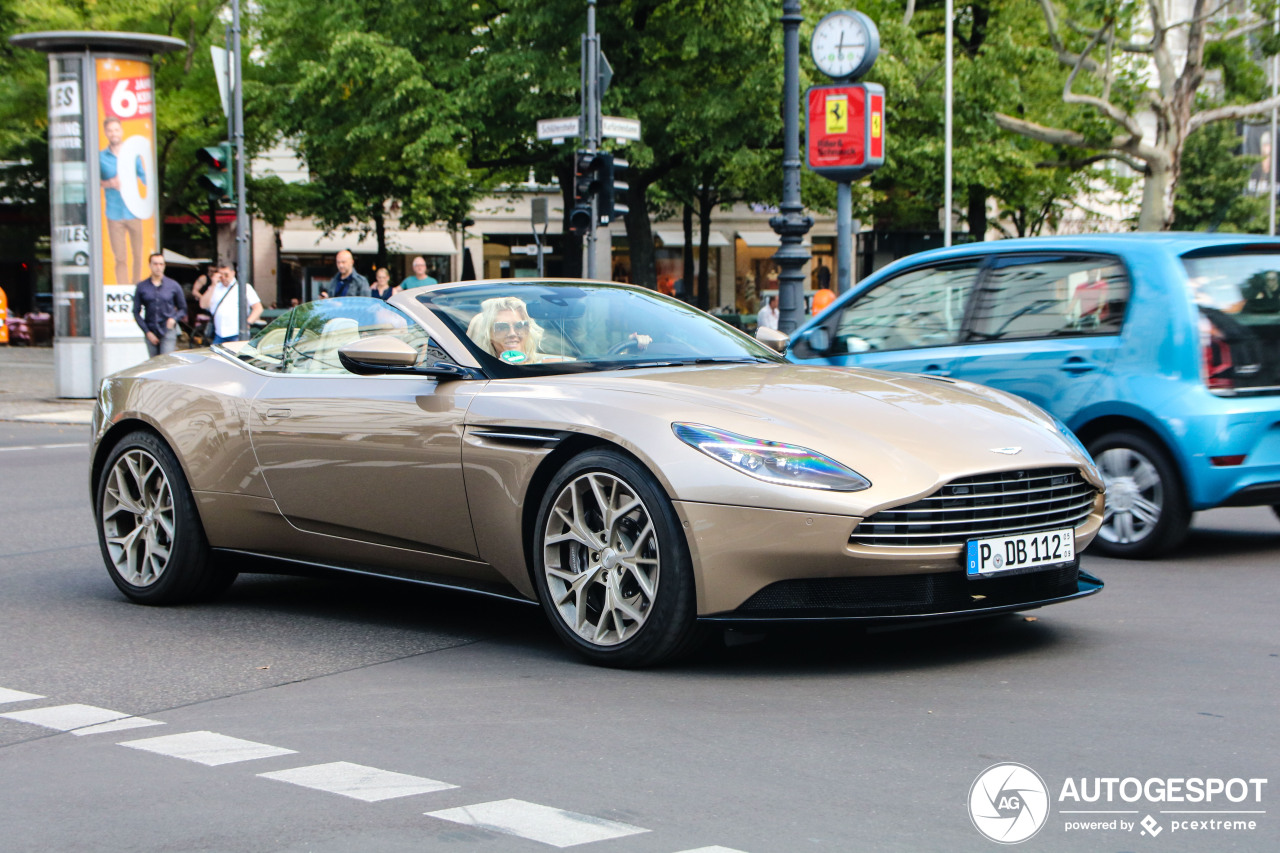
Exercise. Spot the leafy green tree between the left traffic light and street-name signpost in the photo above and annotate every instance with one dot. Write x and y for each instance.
(373, 99)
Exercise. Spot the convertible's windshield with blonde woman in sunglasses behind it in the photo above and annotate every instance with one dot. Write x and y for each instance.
(565, 327)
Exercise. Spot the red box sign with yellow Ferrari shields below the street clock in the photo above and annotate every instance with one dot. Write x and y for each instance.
(847, 130)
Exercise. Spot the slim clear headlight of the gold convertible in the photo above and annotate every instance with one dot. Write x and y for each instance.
(772, 462)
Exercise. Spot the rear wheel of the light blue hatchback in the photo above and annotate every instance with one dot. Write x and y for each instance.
(1148, 513)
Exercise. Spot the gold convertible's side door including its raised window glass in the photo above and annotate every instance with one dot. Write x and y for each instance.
(373, 459)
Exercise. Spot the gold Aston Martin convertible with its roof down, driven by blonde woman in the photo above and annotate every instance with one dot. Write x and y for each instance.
(637, 467)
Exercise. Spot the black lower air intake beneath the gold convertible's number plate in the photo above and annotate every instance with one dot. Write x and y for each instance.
(908, 595)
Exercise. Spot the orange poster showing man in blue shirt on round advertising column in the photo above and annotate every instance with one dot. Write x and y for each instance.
(129, 185)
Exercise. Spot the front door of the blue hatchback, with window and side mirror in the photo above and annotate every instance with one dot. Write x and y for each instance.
(911, 322)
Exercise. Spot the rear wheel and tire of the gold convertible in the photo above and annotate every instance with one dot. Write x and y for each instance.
(148, 527)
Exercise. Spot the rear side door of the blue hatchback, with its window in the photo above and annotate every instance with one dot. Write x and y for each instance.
(1046, 327)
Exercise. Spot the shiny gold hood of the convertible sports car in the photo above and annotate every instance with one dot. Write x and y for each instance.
(889, 427)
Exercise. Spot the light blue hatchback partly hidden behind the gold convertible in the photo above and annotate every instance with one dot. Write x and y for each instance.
(1160, 352)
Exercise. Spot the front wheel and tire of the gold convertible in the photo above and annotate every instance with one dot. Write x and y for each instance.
(618, 587)
